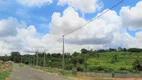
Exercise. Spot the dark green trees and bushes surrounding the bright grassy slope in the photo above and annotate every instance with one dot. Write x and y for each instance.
(77, 59)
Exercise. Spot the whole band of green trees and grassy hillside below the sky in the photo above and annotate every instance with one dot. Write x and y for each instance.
(119, 60)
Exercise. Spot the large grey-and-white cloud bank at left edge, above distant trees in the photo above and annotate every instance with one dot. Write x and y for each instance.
(16, 36)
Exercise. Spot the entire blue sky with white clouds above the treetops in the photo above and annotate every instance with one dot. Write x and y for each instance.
(31, 25)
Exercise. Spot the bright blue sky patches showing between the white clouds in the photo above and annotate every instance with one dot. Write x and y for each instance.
(41, 16)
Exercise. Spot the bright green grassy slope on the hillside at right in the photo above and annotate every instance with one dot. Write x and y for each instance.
(125, 60)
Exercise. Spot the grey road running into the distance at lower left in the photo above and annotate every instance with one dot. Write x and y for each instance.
(28, 73)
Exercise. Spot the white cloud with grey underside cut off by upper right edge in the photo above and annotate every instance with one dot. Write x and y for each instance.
(131, 16)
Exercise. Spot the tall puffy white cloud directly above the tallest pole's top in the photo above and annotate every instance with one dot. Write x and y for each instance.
(66, 23)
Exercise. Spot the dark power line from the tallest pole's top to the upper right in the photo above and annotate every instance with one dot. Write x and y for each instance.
(95, 18)
